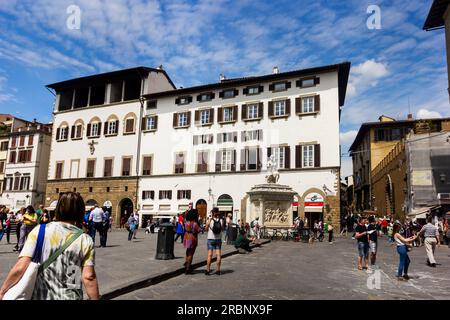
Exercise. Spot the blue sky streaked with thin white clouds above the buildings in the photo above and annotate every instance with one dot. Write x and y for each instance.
(195, 41)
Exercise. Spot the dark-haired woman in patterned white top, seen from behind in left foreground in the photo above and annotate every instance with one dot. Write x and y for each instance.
(59, 280)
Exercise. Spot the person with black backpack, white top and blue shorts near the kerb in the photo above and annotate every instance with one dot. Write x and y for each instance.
(215, 228)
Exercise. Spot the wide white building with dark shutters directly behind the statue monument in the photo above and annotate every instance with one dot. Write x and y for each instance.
(211, 142)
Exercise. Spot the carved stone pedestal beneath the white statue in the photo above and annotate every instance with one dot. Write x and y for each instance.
(272, 203)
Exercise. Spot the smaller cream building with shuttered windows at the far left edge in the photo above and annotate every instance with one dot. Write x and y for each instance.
(25, 172)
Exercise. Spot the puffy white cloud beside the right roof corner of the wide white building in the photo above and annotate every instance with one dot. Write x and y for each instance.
(365, 75)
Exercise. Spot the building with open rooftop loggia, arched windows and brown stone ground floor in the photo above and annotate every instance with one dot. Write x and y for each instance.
(96, 138)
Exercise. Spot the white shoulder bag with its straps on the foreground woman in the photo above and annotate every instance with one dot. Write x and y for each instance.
(23, 290)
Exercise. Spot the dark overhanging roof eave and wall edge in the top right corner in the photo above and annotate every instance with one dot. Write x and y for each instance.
(438, 18)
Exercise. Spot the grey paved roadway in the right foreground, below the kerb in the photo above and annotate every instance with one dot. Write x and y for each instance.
(288, 270)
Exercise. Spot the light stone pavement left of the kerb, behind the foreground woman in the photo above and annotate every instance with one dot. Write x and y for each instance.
(122, 262)
